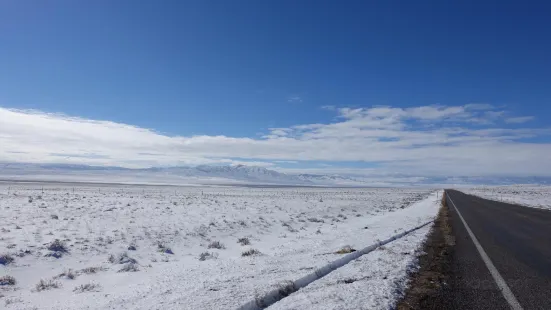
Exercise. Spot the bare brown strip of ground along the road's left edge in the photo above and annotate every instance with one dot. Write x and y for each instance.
(428, 286)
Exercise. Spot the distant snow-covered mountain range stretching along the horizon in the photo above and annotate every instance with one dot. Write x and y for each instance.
(239, 174)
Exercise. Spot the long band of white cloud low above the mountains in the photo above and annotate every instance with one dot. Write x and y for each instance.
(430, 140)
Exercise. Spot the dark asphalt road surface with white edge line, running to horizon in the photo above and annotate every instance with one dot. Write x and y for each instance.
(518, 241)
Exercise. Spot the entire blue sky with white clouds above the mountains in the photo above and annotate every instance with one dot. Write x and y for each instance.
(420, 88)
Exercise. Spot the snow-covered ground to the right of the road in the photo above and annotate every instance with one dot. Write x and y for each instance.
(538, 196)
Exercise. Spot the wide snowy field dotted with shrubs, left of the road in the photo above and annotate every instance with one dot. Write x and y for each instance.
(130, 247)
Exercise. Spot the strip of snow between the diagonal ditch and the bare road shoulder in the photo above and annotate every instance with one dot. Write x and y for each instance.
(373, 281)
